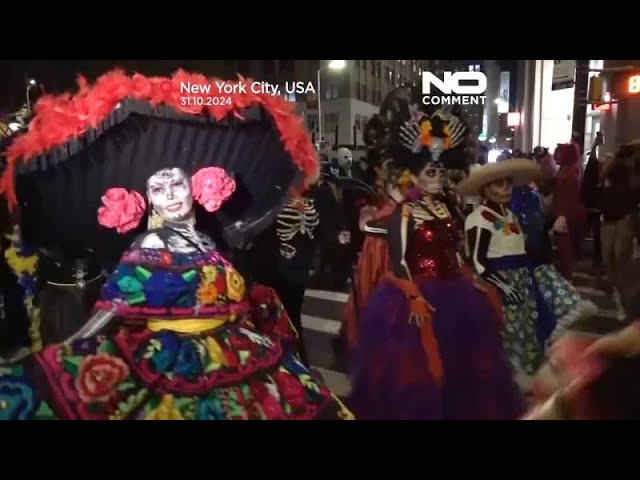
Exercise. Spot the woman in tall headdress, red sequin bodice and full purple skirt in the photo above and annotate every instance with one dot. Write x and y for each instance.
(428, 343)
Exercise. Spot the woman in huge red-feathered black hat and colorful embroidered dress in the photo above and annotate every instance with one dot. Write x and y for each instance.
(172, 335)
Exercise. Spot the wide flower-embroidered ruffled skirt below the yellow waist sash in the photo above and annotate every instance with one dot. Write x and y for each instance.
(230, 373)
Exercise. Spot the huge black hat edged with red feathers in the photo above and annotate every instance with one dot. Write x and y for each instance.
(122, 129)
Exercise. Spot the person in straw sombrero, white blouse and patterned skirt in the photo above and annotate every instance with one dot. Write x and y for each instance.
(538, 303)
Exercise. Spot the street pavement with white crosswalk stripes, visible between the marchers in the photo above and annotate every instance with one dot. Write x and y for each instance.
(322, 317)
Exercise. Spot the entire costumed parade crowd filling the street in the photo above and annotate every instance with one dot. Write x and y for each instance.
(156, 258)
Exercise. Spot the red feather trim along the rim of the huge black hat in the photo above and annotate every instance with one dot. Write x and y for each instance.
(61, 118)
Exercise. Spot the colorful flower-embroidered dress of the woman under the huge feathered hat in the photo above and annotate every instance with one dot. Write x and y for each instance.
(185, 350)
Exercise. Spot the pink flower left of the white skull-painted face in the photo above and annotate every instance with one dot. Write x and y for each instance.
(121, 209)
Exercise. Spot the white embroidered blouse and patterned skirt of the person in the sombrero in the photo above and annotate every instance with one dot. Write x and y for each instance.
(541, 302)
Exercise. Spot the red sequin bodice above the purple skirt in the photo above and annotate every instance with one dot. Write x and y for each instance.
(432, 249)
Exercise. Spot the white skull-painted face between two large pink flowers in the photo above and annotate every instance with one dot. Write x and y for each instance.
(169, 191)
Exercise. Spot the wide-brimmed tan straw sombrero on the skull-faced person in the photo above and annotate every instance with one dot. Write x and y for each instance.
(522, 170)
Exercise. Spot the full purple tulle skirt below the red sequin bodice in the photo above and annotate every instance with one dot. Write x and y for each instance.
(389, 370)
